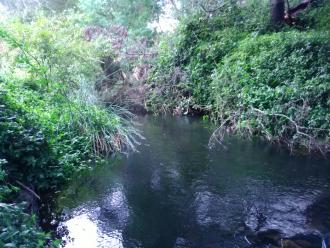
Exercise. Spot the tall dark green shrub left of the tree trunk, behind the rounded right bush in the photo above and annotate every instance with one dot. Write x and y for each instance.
(186, 60)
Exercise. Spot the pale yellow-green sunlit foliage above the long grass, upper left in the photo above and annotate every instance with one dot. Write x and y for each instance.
(52, 49)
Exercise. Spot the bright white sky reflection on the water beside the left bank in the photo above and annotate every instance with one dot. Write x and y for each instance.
(89, 225)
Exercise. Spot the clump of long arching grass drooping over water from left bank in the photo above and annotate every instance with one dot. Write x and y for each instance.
(109, 128)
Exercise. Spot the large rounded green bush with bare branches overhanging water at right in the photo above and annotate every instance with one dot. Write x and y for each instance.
(277, 86)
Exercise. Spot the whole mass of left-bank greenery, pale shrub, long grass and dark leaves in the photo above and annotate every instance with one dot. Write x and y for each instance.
(51, 121)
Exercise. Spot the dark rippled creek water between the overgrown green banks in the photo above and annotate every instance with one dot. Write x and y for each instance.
(178, 193)
